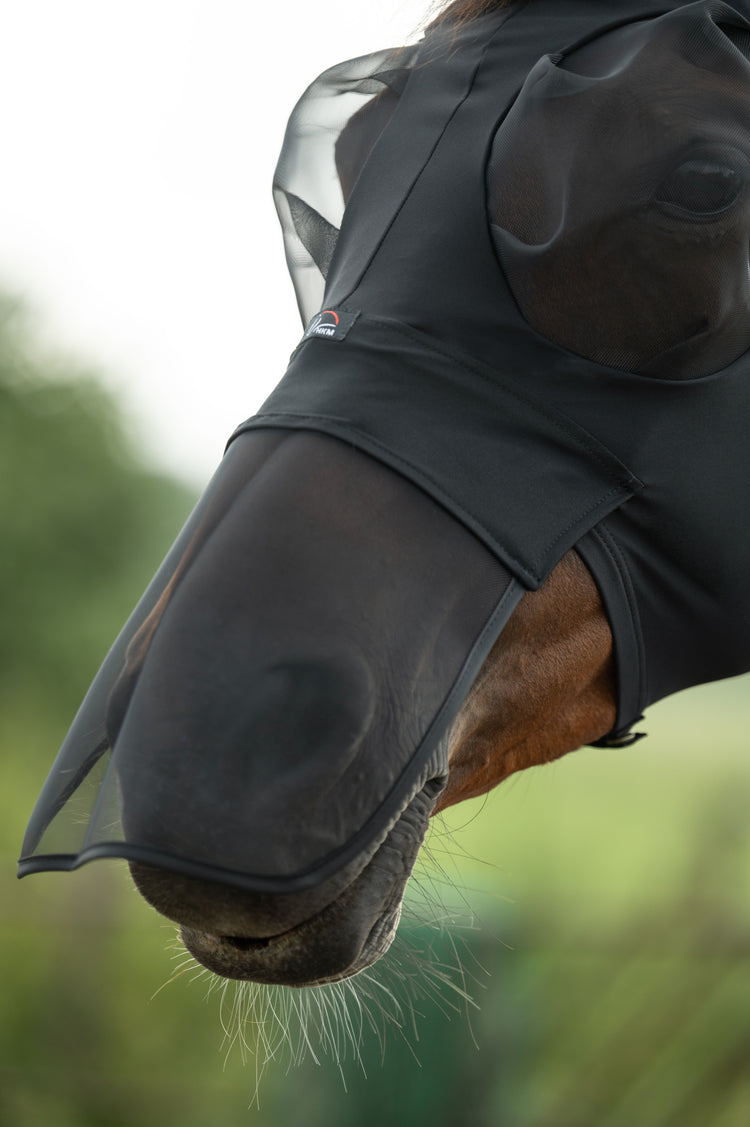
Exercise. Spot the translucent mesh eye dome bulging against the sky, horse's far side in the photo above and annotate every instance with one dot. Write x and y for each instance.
(329, 139)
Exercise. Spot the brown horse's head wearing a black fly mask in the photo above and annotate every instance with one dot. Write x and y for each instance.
(342, 645)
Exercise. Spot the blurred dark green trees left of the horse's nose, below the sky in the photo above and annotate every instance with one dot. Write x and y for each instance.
(81, 518)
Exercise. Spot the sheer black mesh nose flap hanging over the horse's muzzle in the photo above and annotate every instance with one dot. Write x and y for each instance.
(304, 649)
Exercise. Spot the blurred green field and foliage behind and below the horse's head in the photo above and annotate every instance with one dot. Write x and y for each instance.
(602, 903)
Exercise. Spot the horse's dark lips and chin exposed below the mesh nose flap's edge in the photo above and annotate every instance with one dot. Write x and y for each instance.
(342, 931)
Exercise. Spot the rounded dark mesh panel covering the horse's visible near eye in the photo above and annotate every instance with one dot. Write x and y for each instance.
(620, 196)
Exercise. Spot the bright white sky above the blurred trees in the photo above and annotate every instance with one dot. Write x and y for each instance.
(139, 141)
